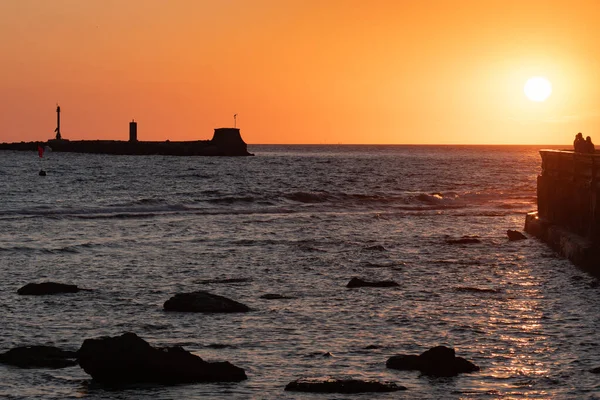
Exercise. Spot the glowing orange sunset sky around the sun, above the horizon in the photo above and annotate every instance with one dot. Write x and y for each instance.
(300, 71)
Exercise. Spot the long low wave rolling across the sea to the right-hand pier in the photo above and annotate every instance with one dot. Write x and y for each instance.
(215, 202)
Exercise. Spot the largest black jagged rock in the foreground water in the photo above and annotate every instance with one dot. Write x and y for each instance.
(130, 359)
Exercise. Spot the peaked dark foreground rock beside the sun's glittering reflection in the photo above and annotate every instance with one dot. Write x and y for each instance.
(437, 361)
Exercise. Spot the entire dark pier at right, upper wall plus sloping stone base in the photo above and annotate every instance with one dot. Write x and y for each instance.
(568, 215)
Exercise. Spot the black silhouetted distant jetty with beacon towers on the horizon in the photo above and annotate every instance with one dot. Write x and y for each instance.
(225, 142)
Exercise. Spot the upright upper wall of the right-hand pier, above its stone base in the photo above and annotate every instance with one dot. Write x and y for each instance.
(568, 191)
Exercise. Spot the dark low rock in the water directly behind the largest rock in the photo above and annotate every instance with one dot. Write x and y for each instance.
(202, 301)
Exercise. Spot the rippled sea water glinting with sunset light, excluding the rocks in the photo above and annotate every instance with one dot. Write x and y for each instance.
(298, 221)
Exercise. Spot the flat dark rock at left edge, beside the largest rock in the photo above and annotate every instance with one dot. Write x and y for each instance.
(39, 357)
